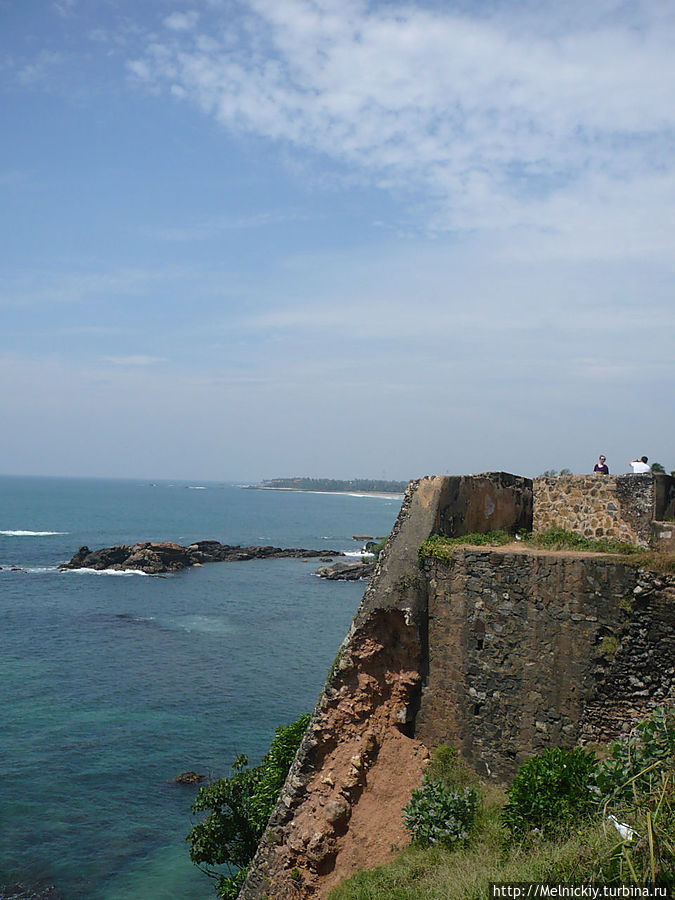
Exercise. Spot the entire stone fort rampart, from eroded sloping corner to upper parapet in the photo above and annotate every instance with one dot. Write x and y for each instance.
(501, 652)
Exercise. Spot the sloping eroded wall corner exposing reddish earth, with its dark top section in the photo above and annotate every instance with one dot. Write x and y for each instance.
(359, 760)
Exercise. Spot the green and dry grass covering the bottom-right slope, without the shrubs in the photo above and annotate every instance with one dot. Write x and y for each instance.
(589, 853)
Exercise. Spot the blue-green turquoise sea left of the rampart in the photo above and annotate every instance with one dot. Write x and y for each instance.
(111, 685)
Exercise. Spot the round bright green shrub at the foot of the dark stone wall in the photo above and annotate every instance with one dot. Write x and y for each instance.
(549, 792)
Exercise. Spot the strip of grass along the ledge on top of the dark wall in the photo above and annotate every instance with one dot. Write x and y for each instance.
(555, 539)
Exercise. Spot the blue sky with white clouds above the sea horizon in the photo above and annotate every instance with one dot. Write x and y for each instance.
(243, 239)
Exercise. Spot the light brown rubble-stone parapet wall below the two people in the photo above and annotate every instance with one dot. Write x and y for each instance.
(618, 507)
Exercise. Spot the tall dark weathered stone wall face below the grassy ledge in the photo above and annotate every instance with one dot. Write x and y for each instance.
(529, 650)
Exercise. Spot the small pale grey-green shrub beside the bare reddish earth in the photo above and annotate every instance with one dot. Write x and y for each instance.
(437, 814)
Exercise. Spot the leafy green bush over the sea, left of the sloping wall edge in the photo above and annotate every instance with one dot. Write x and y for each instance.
(238, 808)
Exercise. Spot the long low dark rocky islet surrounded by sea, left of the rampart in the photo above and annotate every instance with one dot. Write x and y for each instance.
(155, 558)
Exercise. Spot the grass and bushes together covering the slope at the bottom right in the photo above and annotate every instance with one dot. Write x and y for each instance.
(577, 838)
